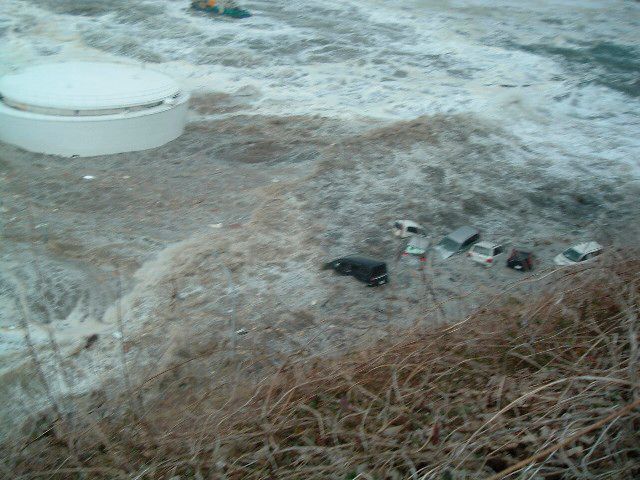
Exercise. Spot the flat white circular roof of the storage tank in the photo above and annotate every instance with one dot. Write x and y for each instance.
(87, 86)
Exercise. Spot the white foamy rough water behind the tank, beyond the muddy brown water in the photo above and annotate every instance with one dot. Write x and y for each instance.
(379, 59)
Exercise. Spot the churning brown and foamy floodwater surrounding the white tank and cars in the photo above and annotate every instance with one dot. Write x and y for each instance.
(312, 128)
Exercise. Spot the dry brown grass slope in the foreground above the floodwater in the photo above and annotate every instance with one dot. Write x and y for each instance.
(547, 386)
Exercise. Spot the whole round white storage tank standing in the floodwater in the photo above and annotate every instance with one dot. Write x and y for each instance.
(86, 109)
